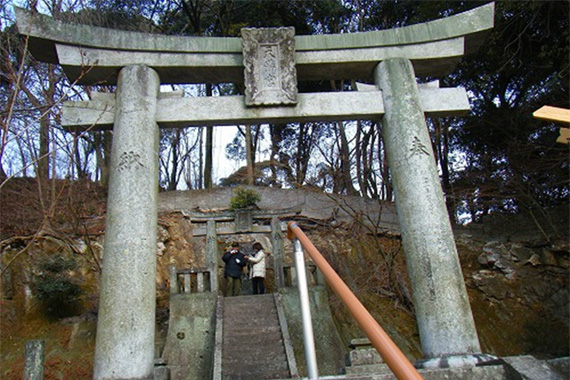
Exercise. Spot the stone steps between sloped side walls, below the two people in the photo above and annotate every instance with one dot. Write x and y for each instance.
(253, 347)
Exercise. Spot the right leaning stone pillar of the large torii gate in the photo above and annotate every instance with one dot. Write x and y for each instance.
(445, 322)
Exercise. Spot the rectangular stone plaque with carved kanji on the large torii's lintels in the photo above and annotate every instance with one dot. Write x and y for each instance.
(269, 60)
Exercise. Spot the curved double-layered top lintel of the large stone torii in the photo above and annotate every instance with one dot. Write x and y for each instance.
(433, 47)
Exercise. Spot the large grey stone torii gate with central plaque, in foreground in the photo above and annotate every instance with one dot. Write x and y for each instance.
(273, 59)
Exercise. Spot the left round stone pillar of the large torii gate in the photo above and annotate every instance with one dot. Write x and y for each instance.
(126, 323)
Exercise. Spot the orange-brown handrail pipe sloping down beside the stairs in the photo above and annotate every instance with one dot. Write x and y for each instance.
(393, 357)
